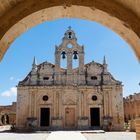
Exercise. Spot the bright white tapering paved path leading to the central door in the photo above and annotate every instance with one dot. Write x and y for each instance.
(68, 135)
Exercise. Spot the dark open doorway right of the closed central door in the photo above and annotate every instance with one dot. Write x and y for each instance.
(95, 116)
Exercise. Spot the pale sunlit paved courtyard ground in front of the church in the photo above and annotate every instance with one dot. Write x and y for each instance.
(66, 135)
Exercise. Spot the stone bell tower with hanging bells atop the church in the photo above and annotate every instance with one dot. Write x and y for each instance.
(70, 50)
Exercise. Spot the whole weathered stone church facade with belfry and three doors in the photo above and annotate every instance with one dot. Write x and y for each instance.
(70, 98)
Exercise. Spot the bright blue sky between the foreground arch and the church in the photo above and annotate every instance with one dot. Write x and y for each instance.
(40, 41)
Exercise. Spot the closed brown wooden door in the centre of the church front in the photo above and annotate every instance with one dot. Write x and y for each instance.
(70, 118)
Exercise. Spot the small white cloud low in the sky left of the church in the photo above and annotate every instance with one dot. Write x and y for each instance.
(11, 92)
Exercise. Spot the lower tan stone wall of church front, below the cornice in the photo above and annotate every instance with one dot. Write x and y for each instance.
(60, 99)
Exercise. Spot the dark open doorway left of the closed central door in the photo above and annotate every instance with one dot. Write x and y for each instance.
(45, 117)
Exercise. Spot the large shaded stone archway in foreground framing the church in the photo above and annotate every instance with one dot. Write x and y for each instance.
(121, 16)
